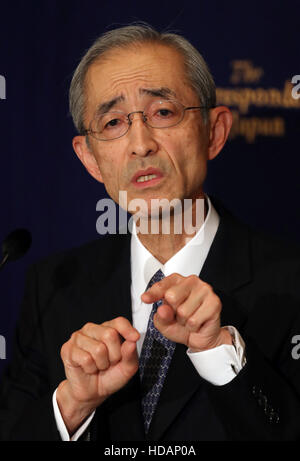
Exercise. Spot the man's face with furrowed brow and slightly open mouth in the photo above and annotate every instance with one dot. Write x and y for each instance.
(178, 155)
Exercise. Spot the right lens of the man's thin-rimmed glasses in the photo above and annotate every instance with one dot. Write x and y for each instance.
(164, 113)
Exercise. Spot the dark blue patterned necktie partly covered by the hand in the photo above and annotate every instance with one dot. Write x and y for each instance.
(155, 358)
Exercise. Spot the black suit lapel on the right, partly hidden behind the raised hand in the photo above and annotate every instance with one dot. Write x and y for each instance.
(226, 269)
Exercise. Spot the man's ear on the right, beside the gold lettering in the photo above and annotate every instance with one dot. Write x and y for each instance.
(220, 125)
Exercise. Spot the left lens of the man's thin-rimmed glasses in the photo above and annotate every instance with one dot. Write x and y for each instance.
(110, 125)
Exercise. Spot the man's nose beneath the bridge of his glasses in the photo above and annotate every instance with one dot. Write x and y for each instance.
(142, 142)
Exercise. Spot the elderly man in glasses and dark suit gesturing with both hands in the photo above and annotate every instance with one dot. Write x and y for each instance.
(156, 336)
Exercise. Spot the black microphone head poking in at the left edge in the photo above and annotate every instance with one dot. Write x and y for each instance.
(15, 245)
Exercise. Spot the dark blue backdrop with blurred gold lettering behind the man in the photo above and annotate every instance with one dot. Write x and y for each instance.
(252, 49)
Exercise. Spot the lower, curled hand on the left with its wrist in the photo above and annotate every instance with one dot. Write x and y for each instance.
(99, 360)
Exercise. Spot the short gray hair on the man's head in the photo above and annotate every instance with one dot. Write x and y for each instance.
(197, 70)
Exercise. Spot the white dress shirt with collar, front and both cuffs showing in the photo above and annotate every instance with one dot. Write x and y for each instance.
(219, 365)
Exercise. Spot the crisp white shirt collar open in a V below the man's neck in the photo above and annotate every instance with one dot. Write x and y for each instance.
(187, 261)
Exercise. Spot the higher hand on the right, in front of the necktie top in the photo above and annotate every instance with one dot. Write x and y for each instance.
(190, 313)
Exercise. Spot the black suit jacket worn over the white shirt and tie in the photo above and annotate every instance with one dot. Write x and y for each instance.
(258, 282)
